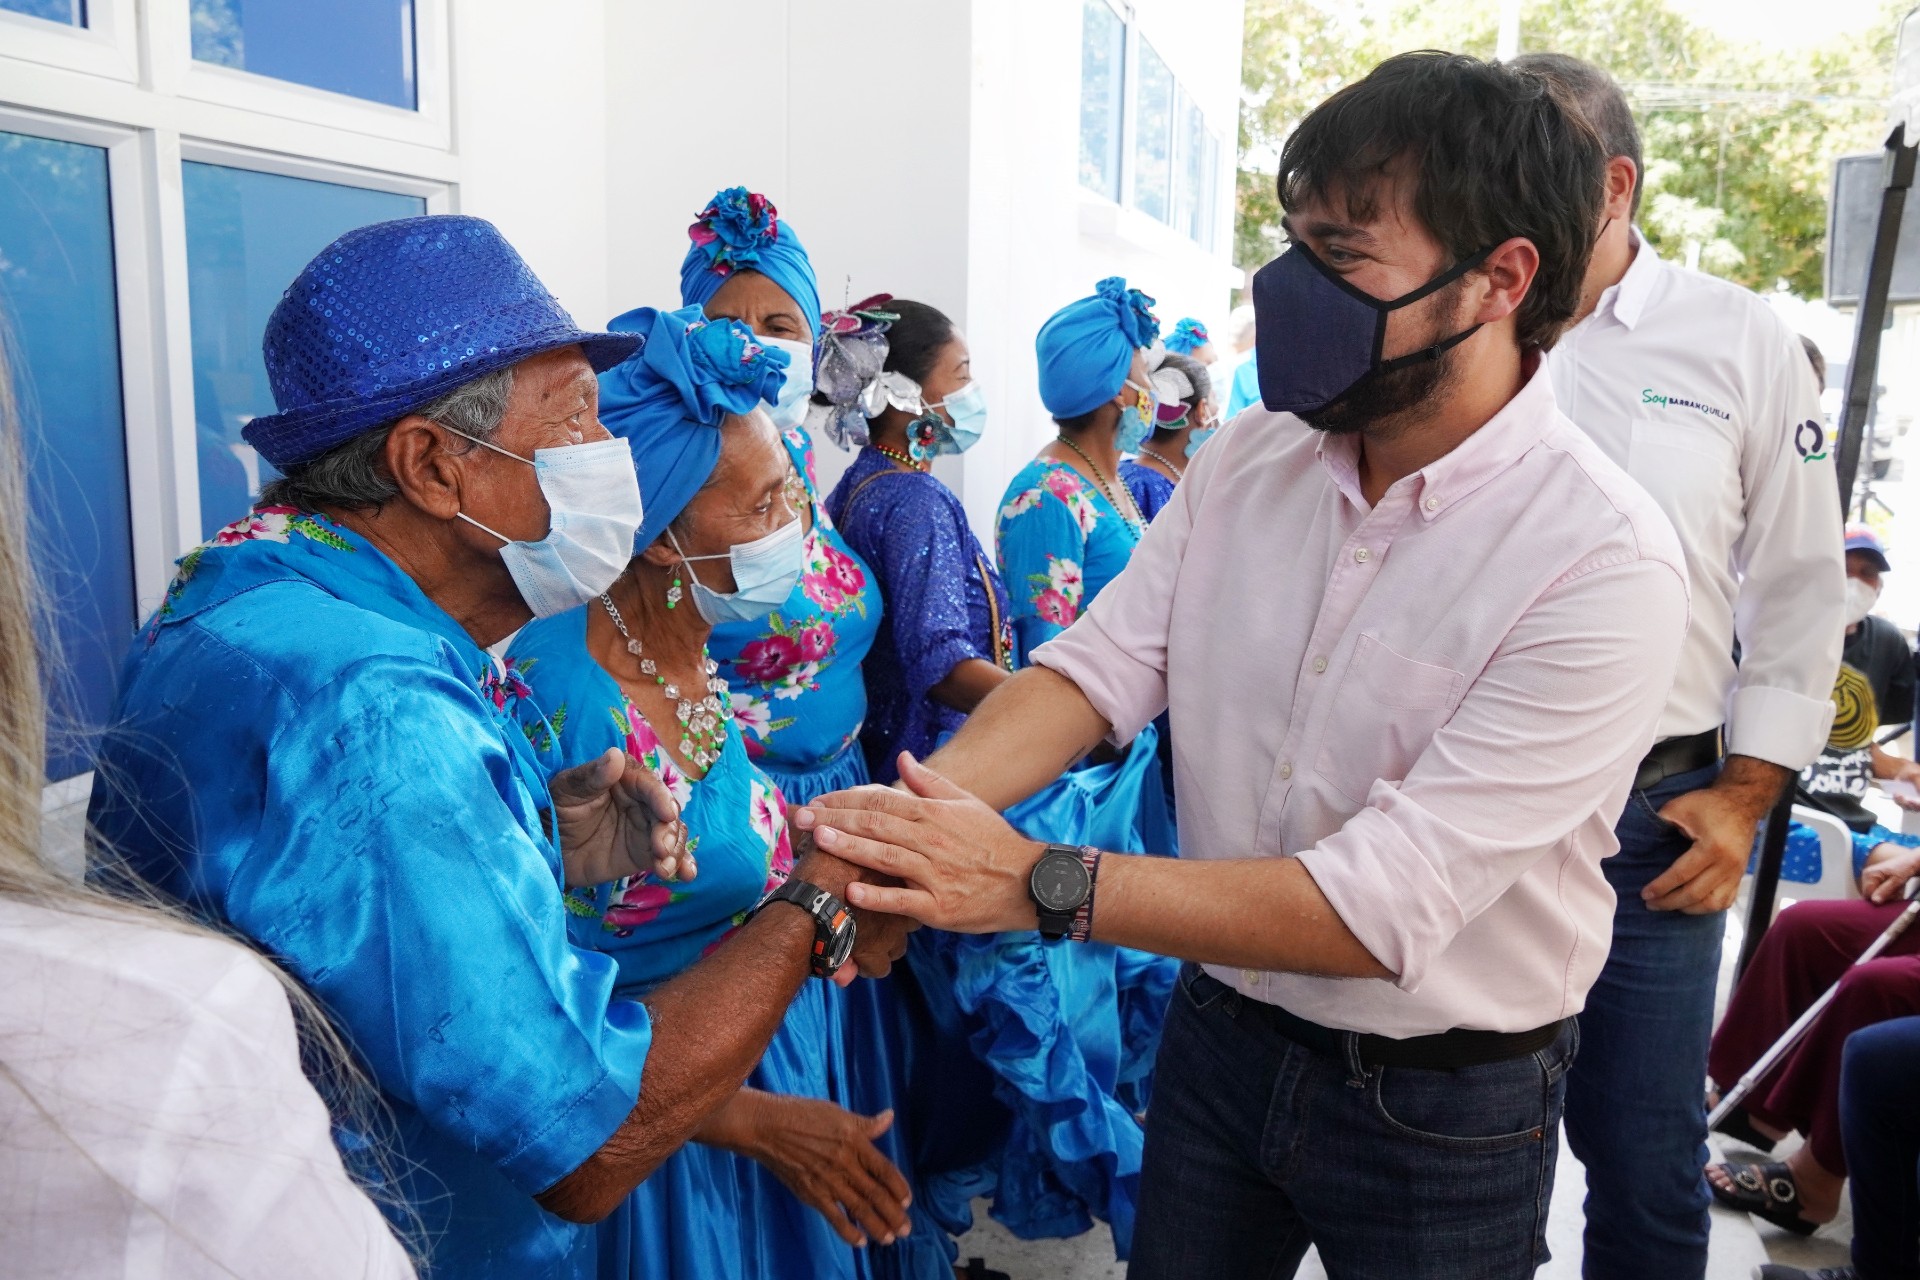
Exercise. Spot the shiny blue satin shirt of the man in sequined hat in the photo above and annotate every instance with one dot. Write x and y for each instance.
(316, 755)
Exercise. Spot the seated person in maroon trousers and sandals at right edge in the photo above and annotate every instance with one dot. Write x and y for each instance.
(1810, 949)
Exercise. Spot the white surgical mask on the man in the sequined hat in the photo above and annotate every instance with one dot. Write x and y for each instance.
(592, 515)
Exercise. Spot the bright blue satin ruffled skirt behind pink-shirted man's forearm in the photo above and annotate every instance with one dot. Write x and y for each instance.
(1063, 1037)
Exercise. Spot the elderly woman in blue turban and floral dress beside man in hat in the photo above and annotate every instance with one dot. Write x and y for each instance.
(633, 671)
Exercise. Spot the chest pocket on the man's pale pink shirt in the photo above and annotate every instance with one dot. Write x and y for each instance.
(1383, 717)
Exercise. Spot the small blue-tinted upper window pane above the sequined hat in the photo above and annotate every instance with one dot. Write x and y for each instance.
(350, 47)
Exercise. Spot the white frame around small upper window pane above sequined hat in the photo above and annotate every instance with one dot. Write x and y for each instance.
(431, 124)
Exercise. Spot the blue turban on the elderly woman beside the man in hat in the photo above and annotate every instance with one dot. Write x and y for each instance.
(669, 400)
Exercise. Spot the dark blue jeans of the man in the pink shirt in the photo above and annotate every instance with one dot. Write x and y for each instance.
(1259, 1147)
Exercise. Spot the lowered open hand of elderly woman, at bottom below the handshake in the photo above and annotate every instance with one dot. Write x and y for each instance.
(827, 1158)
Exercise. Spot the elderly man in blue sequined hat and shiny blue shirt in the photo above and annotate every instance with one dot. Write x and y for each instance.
(316, 749)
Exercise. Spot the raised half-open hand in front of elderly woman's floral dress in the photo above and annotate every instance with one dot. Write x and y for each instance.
(617, 818)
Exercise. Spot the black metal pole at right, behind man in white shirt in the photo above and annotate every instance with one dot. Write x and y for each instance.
(1898, 176)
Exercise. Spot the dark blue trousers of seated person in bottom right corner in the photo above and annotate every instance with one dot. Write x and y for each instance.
(1881, 1129)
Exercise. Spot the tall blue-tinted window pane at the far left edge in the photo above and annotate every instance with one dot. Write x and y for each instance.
(62, 346)
